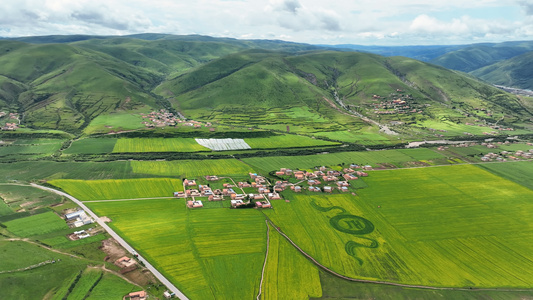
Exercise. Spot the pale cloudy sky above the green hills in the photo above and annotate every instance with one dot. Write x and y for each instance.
(363, 22)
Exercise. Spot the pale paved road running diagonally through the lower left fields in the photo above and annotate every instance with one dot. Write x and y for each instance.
(121, 241)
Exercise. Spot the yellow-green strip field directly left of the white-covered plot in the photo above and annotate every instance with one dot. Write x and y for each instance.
(158, 145)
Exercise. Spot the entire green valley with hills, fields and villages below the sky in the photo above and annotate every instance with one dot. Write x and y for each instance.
(238, 169)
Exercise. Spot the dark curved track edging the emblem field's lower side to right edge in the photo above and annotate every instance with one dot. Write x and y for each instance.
(387, 282)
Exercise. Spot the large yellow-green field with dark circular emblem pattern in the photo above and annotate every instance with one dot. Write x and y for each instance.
(432, 229)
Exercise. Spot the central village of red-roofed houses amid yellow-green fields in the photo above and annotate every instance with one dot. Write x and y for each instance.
(258, 191)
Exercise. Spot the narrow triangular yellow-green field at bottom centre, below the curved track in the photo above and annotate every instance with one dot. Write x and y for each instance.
(288, 274)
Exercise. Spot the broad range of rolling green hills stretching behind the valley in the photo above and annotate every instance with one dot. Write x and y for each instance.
(67, 82)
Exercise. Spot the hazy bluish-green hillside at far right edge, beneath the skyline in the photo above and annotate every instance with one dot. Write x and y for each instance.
(514, 72)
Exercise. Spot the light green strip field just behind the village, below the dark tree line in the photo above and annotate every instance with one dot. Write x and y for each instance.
(191, 168)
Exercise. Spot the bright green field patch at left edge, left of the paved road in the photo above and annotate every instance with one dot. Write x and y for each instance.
(35, 225)
